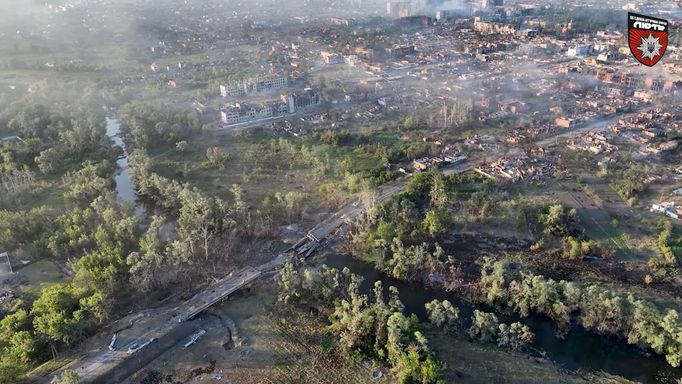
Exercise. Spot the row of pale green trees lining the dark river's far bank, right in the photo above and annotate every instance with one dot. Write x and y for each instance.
(598, 309)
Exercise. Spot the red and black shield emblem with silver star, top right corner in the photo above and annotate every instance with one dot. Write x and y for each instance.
(647, 37)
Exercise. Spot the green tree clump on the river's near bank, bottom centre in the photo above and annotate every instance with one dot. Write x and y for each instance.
(367, 326)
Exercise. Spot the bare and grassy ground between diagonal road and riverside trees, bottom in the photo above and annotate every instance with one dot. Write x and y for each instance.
(271, 347)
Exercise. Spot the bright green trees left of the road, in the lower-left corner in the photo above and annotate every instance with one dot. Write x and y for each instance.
(97, 238)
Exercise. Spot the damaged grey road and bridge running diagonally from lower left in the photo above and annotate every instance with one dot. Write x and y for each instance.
(153, 331)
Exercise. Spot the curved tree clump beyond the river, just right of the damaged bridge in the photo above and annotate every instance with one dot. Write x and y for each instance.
(403, 235)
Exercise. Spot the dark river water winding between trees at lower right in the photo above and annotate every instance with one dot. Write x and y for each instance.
(578, 350)
